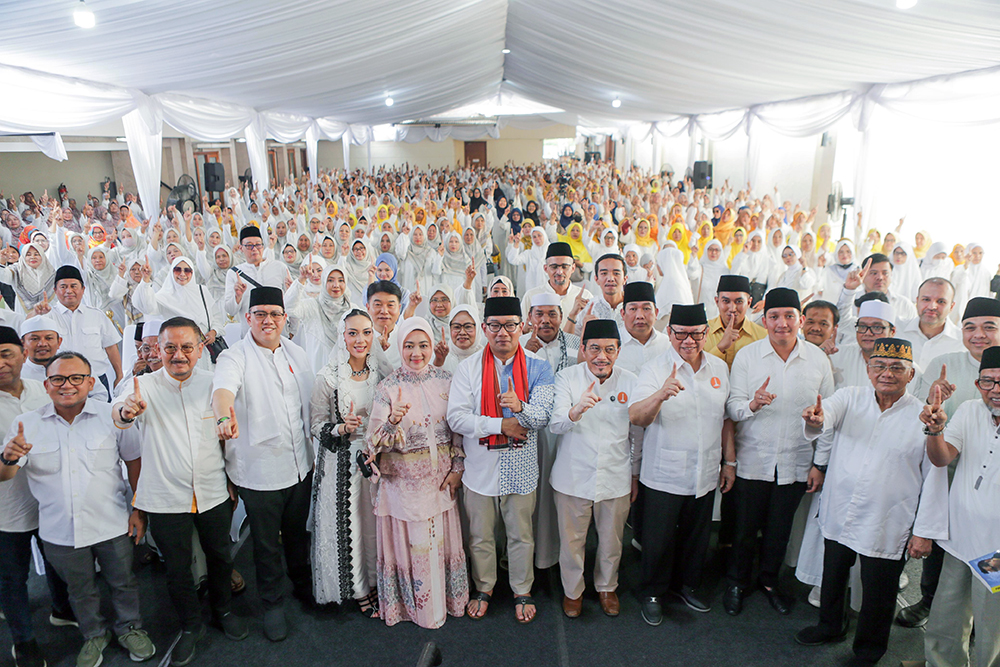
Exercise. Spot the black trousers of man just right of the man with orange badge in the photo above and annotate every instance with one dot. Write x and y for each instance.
(766, 507)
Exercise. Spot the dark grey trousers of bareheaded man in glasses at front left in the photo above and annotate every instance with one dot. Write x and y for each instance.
(76, 568)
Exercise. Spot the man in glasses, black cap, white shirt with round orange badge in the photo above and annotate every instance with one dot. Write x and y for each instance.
(680, 399)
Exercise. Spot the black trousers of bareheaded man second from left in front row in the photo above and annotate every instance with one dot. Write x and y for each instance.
(172, 533)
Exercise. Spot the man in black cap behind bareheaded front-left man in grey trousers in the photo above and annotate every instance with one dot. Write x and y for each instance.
(85, 329)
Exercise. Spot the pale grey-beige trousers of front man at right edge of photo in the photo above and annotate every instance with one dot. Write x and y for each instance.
(958, 601)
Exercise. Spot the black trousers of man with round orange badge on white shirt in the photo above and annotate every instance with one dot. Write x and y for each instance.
(675, 535)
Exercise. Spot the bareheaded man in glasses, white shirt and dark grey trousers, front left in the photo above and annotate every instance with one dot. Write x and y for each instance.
(70, 454)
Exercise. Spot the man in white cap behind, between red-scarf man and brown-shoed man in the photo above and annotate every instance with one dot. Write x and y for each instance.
(560, 349)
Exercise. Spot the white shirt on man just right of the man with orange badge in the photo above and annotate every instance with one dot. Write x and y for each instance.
(770, 443)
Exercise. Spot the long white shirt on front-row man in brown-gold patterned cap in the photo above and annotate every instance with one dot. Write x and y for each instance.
(880, 487)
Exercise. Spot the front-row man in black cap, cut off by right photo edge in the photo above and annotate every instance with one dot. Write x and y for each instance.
(973, 436)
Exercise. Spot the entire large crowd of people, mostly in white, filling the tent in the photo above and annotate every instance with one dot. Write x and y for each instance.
(404, 379)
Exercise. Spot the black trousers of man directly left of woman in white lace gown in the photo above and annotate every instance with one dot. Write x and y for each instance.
(278, 519)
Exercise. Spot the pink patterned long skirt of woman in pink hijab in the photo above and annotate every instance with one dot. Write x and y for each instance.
(422, 574)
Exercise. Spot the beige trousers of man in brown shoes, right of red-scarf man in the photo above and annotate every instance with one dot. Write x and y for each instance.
(574, 521)
